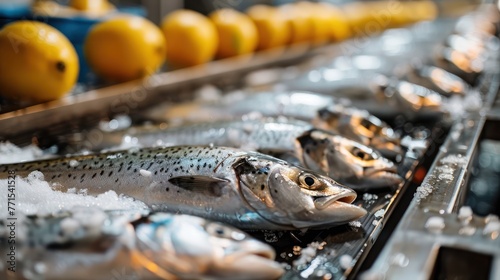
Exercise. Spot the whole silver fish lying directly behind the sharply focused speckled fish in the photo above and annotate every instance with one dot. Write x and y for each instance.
(278, 137)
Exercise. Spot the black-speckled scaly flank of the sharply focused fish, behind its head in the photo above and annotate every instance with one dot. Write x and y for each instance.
(121, 172)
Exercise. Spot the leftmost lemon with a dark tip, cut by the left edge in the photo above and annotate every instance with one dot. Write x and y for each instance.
(38, 63)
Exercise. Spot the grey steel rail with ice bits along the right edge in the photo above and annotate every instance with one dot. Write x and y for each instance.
(414, 245)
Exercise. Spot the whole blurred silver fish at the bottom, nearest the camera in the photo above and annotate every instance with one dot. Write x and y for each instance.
(117, 245)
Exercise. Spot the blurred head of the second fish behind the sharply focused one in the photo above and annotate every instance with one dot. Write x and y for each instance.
(361, 126)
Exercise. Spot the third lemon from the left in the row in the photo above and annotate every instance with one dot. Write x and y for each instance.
(191, 36)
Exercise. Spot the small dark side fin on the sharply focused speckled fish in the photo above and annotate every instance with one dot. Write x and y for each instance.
(208, 185)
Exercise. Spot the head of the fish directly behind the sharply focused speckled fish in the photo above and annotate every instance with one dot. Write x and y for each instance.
(348, 161)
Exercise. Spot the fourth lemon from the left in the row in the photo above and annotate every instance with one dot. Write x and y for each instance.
(236, 31)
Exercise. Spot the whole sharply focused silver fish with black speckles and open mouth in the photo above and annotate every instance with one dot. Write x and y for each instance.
(248, 190)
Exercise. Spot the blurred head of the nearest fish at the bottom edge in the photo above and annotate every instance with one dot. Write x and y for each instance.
(191, 247)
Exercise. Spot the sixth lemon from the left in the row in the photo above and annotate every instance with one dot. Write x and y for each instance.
(299, 23)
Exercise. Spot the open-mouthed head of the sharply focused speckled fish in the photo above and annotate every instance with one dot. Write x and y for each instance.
(293, 196)
